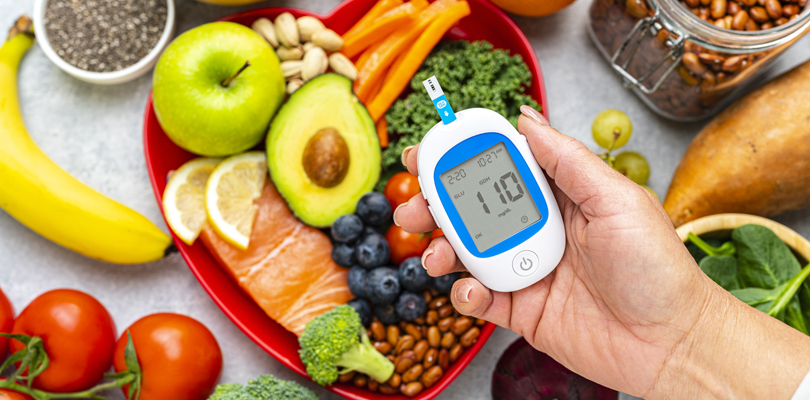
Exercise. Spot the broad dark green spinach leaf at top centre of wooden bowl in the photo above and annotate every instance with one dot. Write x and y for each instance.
(765, 261)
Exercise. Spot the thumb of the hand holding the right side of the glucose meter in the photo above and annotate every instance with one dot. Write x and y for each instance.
(578, 172)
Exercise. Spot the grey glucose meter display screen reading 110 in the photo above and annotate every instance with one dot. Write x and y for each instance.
(490, 197)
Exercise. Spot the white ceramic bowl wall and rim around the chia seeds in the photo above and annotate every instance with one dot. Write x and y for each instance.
(103, 78)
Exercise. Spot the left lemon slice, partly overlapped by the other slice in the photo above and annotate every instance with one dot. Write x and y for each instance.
(184, 198)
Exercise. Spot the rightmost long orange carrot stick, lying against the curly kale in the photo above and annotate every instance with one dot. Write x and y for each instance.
(414, 58)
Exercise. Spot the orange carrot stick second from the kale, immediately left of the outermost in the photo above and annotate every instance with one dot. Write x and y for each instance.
(376, 64)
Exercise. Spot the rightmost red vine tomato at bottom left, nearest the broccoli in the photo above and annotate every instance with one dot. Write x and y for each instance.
(179, 357)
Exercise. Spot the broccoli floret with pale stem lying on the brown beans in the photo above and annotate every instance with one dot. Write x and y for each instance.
(335, 343)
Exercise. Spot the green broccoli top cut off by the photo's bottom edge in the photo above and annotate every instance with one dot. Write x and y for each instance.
(265, 387)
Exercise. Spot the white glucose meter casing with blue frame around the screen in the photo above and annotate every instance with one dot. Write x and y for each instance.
(516, 266)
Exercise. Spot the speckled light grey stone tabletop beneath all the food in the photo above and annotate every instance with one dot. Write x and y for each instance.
(94, 132)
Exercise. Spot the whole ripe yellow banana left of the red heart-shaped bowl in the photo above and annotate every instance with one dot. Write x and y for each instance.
(45, 198)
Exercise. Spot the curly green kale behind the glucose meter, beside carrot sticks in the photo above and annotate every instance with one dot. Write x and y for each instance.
(472, 75)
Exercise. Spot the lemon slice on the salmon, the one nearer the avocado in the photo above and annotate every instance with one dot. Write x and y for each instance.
(231, 194)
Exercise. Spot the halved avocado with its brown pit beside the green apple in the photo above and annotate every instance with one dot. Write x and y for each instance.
(320, 175)
